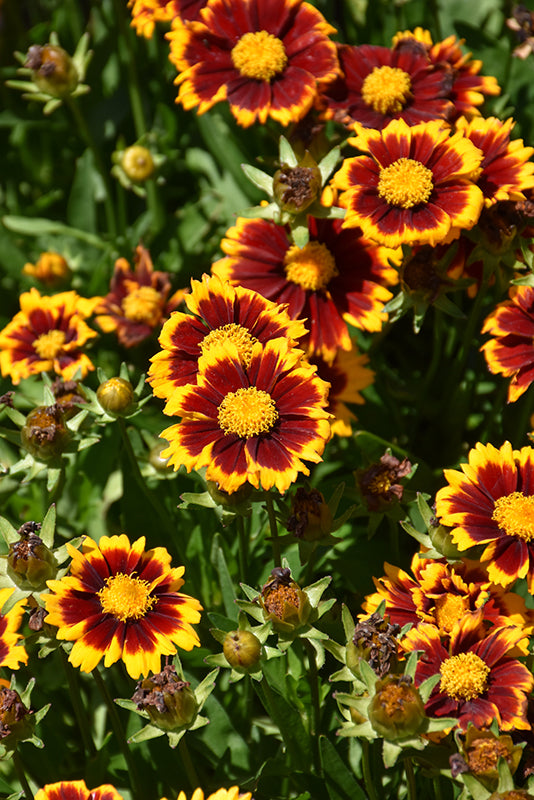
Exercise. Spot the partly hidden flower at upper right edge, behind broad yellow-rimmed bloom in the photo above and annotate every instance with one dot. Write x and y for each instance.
(505, 168)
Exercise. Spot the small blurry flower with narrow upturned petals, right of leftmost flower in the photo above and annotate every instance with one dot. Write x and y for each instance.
(138, 302)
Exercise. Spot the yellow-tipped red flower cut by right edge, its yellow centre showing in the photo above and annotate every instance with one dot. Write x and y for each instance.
(491, 502)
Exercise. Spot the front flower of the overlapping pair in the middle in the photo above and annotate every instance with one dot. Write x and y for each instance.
(253, 424)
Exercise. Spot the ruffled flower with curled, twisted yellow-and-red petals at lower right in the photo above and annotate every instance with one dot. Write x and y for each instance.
(442, 593)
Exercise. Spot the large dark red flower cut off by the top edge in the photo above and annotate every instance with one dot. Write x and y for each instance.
(266, 59)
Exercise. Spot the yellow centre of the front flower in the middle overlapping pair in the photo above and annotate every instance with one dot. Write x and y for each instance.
(247, 412)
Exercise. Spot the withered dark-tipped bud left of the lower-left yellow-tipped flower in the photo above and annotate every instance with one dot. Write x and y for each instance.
(30, 563)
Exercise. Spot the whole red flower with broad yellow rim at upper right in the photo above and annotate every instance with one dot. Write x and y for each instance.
(413, 187)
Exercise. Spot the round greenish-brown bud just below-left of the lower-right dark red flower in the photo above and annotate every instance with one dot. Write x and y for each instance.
(396, 711)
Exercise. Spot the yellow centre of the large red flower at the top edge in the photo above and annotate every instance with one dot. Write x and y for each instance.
(259, 55)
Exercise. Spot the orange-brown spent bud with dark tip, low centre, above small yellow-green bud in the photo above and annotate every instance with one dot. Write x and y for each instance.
(284, 602)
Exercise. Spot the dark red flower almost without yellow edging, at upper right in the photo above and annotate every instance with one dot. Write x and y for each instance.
(380, 84)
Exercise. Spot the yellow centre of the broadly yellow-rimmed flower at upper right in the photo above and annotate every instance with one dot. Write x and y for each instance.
(405, 183)
